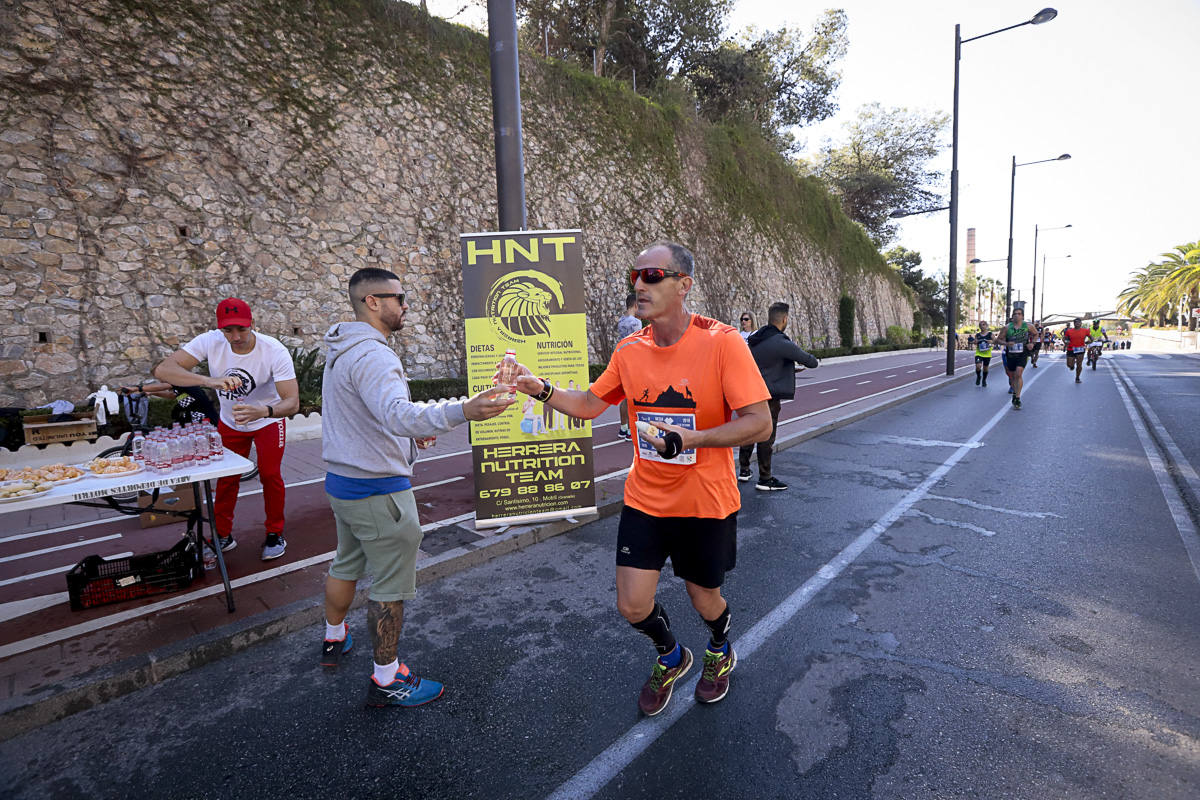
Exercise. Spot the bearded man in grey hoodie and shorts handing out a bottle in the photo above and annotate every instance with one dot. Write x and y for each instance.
(371, 431)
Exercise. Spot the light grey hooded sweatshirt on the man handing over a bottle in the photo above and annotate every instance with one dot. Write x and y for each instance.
(368, 418)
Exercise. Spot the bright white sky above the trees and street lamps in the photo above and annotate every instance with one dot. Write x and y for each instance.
(1111, 83)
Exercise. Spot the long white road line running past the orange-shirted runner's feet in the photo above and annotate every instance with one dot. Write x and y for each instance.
(639, 738)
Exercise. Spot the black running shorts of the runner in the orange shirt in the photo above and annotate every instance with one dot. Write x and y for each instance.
(701, 550)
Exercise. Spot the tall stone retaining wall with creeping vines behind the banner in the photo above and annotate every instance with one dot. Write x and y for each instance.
(158, 157)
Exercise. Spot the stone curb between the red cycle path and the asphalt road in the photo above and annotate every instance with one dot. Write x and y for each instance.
(169, 661)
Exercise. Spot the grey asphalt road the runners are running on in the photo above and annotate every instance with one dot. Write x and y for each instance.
(955, 600)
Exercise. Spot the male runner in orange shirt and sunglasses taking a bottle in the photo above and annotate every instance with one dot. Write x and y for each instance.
(686, 376)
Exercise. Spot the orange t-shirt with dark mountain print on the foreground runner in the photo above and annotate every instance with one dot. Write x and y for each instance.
(695, 383)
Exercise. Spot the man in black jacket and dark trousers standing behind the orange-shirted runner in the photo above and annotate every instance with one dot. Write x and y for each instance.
(777, 358)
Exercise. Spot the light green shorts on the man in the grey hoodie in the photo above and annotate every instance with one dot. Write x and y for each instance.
(379, 536)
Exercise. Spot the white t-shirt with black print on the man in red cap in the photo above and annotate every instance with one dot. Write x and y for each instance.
(259, 370)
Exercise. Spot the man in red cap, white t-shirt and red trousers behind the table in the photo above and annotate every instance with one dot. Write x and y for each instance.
(256, 383)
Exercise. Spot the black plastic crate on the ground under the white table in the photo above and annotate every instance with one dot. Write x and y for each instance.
(97, 581)
